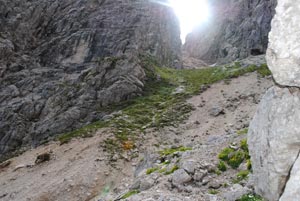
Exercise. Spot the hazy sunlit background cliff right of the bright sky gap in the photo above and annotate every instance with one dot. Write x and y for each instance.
(236, 29)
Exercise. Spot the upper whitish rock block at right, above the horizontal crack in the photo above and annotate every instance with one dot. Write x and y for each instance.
(284, 50)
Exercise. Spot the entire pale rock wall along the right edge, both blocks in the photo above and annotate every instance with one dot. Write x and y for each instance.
(274, 135)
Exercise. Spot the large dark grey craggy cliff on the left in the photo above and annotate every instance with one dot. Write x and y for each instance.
(61, 61)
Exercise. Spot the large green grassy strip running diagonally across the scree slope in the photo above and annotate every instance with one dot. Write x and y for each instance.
(158, 106)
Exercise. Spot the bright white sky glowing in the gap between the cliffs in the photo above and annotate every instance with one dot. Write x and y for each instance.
(191, 13)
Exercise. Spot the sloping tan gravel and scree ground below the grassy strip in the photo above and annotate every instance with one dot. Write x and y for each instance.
(84, 169)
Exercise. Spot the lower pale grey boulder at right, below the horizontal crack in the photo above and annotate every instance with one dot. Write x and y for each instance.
(274, 142)
